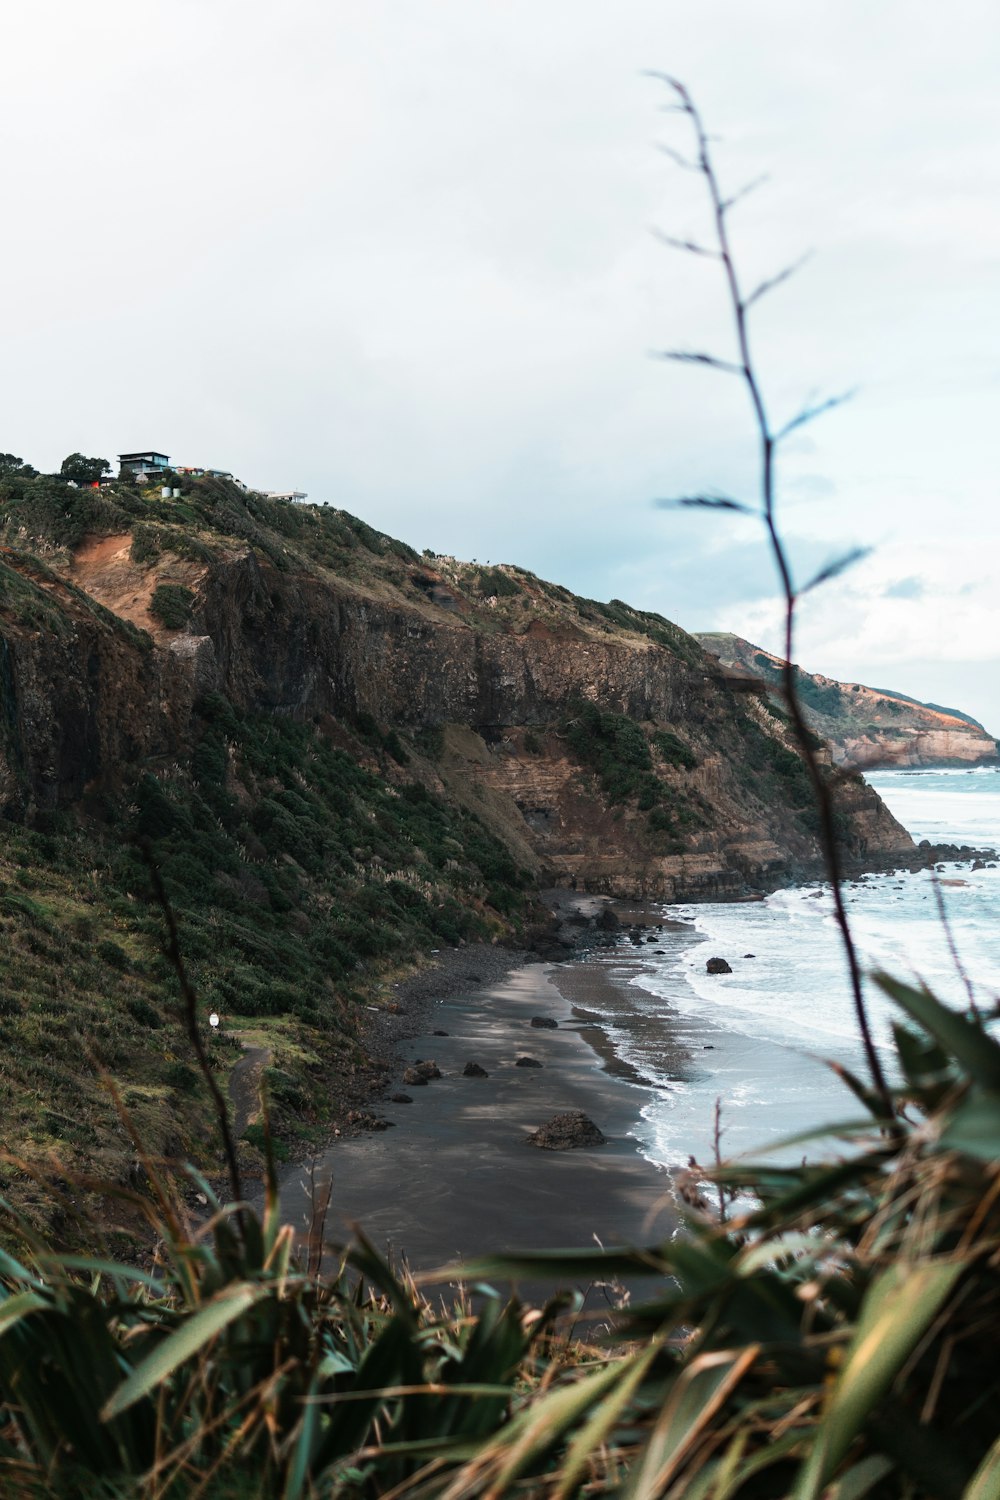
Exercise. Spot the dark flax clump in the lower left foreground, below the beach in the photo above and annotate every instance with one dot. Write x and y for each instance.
(232, 1370)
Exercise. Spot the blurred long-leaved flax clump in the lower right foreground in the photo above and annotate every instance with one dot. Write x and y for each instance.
(843, 1333)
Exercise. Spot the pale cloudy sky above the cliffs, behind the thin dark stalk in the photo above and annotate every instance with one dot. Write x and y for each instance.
(403, 256)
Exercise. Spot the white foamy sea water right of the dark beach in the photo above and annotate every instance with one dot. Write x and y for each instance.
(756, 1043)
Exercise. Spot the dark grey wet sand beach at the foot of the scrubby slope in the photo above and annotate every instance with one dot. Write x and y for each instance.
(455, 1178)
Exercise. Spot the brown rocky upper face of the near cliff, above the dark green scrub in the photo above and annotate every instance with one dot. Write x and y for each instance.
(681, 788)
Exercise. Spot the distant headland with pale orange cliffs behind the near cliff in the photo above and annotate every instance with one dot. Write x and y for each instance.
(864, 727)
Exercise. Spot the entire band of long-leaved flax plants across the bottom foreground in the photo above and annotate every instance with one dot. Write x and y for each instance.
(839, 1336)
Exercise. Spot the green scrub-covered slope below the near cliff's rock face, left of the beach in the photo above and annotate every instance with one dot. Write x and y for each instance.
(299, 875)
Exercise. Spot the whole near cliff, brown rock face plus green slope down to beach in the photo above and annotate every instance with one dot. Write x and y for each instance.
(340, 755)
